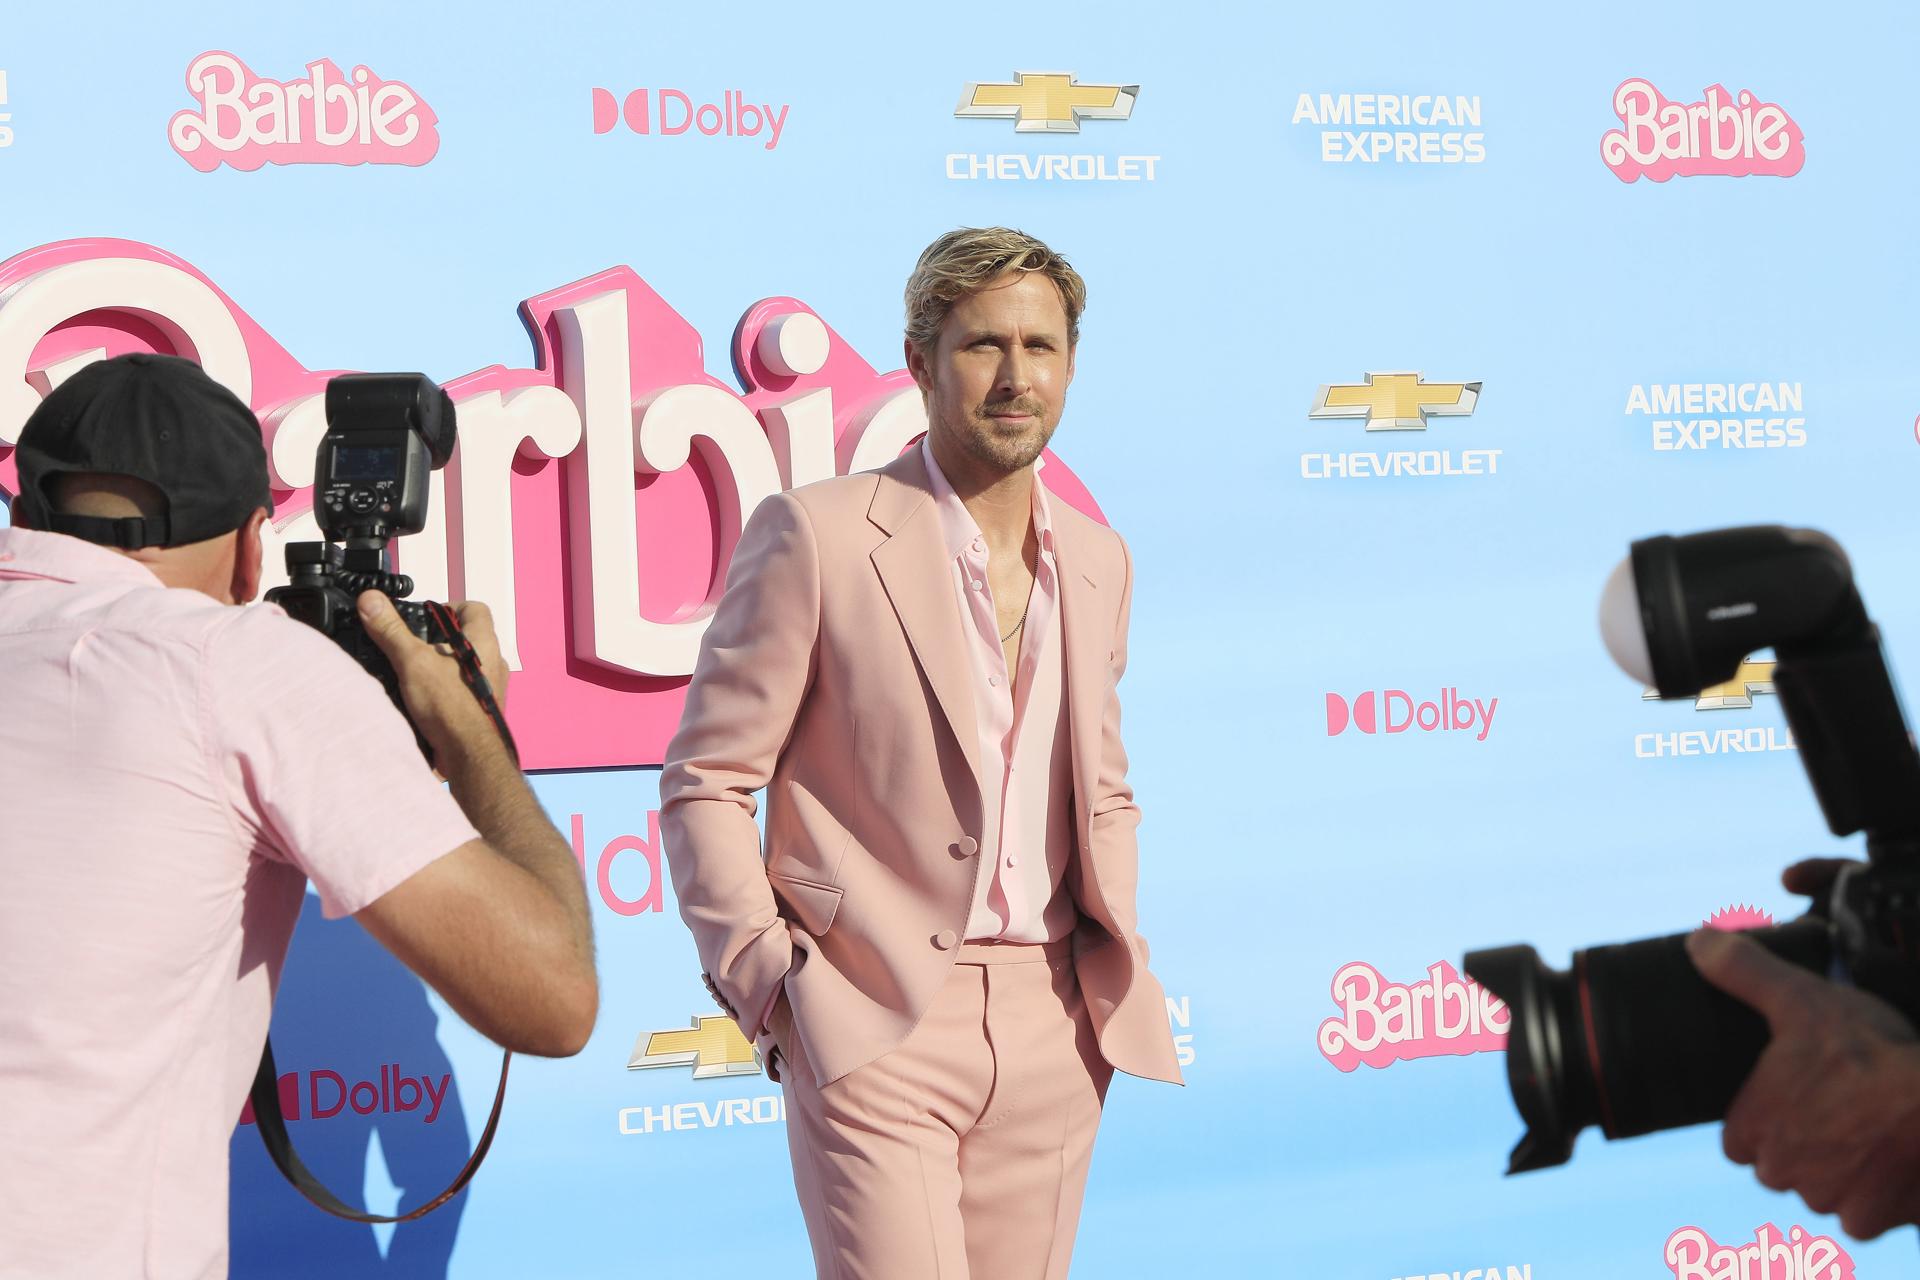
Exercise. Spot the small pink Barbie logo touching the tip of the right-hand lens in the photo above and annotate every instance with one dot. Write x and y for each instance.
(1381, 1024)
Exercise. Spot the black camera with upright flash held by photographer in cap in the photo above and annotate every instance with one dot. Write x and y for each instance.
(385, 437)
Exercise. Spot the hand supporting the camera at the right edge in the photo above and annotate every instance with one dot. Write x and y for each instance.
(1833, 1108)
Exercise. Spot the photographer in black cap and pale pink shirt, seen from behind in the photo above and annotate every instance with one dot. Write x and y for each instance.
(176, 772)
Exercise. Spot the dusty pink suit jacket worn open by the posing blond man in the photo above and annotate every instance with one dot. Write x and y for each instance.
(836, 676)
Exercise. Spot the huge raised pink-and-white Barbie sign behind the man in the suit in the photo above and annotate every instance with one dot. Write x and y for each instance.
(594, 500)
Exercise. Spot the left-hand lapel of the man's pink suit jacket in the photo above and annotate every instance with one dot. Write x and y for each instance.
(915, 571)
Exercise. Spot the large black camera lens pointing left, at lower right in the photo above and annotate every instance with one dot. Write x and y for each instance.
(1629, 1039)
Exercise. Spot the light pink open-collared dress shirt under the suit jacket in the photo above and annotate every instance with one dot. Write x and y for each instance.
(1024, 747)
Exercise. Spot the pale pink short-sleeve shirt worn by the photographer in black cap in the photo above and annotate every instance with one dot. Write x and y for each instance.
(172, 774)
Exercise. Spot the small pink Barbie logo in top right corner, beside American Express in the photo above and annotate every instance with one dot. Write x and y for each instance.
(1721, 135)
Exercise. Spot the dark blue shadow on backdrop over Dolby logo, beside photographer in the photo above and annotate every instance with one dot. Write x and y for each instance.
(372, 1106)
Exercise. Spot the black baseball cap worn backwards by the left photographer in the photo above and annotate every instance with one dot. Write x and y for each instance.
(158, 419)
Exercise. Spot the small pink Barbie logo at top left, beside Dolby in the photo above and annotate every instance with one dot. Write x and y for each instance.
(324, 118)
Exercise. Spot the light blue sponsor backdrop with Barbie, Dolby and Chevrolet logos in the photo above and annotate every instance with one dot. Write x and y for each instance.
(1404, 323)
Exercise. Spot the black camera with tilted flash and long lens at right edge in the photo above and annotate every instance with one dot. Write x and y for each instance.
(1593, 1045)
